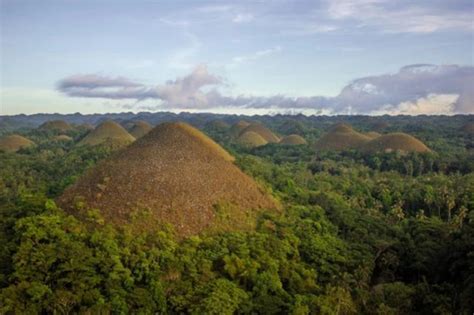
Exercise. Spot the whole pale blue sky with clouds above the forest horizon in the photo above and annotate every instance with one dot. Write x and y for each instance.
(253, 57)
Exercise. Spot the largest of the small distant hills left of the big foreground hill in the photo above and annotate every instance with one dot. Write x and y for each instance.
(107, 133)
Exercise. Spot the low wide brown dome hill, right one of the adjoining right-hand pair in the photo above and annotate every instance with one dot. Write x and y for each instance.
(397, 141)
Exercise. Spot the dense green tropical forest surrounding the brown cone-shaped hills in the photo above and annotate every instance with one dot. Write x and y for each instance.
(357, 231)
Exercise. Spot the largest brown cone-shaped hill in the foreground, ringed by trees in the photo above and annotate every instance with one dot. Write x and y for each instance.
(180, 176)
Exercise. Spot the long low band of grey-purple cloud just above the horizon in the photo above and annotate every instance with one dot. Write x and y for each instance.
(414, 89)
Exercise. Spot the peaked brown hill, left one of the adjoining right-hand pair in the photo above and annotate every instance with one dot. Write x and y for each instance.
(341, 137)
